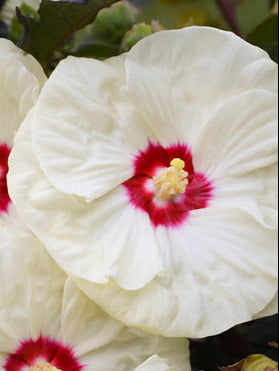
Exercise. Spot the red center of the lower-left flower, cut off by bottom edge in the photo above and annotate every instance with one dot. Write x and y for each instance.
(41, 352)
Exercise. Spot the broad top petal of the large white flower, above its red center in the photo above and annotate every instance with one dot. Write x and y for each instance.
(180, 84)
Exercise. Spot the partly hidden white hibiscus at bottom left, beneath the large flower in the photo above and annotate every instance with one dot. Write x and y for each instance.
(48, 324)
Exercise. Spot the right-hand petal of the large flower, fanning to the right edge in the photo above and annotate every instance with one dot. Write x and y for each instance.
(246, 167)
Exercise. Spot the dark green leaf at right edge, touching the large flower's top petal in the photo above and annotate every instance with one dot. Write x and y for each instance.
(266, 36)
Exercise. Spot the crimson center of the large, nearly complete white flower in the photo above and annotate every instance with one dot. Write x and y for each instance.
(173, 209)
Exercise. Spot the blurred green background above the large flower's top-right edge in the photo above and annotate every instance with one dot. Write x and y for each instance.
(254, 20)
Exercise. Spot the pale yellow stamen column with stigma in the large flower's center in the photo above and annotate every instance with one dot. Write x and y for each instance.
(172, 180)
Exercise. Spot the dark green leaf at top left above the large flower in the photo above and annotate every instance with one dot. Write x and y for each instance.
(57, 21)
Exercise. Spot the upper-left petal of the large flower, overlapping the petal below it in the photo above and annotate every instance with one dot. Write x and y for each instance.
(85, 132)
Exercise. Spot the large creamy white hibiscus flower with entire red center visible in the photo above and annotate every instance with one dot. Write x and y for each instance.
(151, 180)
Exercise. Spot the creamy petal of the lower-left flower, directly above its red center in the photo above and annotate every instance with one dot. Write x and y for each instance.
(30, 295)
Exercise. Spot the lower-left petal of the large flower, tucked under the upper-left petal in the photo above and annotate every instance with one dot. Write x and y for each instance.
(81, 233)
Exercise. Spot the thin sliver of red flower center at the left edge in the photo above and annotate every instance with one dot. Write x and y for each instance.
(4, 196)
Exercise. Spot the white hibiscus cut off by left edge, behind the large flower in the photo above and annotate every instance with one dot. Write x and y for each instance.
(21, 79)
